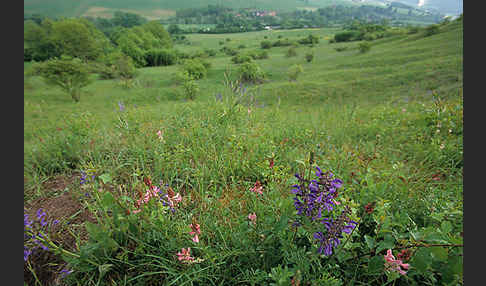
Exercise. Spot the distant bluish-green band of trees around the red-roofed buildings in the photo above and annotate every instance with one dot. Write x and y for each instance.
(249, 19)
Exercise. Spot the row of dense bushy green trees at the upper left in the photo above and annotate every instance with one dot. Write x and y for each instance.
(80, 38)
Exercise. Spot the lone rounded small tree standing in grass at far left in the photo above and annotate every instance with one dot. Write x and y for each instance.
(71, 75)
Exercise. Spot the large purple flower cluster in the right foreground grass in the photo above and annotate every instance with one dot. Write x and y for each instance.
(316, 200)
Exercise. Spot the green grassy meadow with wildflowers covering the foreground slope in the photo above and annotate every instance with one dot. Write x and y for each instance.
(387, 123)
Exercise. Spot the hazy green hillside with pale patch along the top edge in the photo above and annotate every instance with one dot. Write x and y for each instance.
(74, 8)
